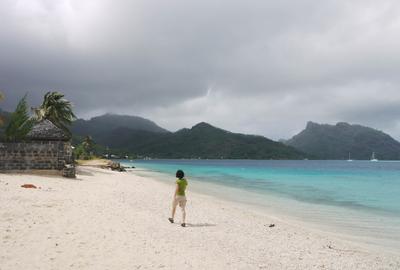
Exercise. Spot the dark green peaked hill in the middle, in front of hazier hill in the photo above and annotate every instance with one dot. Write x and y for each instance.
(201, 141)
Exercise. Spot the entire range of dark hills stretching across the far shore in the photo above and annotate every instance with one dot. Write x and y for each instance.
(144, 137)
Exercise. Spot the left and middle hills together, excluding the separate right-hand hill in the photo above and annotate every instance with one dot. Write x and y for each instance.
(202, 140)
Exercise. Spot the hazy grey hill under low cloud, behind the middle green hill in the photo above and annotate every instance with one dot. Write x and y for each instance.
(100, 127)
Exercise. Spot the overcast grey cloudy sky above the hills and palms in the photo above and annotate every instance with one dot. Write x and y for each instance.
(256, 67)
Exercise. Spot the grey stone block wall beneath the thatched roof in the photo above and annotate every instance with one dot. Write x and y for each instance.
(35, 155)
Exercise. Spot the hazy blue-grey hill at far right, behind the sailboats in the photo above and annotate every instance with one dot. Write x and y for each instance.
(337, 141)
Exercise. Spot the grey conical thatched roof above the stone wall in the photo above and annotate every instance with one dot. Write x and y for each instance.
(46, 131)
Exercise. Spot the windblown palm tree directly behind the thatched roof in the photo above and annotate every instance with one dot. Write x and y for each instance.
(56, 109)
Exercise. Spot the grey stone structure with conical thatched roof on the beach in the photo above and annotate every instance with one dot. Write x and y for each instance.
(47, 147)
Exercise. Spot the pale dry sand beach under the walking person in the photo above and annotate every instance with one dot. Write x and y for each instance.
(113, 220)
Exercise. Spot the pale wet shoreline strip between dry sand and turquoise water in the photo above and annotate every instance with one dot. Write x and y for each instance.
(322, 219)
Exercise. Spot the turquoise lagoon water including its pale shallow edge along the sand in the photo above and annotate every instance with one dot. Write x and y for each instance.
(358, 197)
